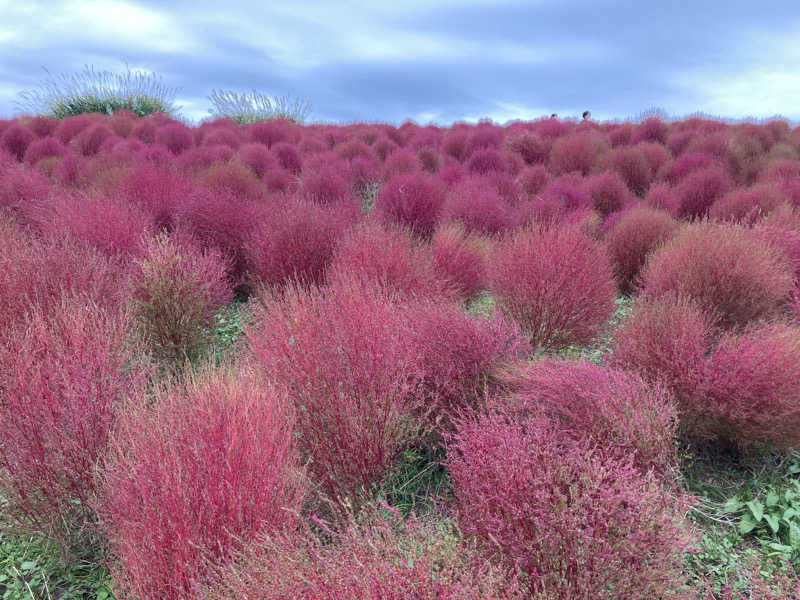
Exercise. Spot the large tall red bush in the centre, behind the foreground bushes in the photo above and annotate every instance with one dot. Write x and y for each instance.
(344, 354)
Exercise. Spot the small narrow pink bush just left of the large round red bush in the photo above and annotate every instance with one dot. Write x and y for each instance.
(460, 259)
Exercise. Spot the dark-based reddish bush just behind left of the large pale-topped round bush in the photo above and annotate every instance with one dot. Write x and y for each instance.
(632, 238)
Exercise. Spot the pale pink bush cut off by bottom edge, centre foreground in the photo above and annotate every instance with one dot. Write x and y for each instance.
(379, 555)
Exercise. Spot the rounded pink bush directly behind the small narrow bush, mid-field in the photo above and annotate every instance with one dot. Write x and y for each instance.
(475, 204)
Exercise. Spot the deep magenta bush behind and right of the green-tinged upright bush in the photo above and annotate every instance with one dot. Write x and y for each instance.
(296, 242)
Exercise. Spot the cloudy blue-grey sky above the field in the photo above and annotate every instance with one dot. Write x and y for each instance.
(432, 61)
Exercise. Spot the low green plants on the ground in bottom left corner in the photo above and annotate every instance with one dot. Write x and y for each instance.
(33, 568)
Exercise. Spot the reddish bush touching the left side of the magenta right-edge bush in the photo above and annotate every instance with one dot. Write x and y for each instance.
(664, 340)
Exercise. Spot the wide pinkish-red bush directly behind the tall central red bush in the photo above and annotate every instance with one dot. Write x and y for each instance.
(389, 258)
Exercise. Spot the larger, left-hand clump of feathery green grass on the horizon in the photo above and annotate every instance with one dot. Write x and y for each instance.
(91, 91)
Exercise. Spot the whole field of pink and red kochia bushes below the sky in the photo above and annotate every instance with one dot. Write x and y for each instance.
(551, 360)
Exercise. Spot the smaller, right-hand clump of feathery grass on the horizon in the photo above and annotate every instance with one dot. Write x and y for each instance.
(249, 108)
